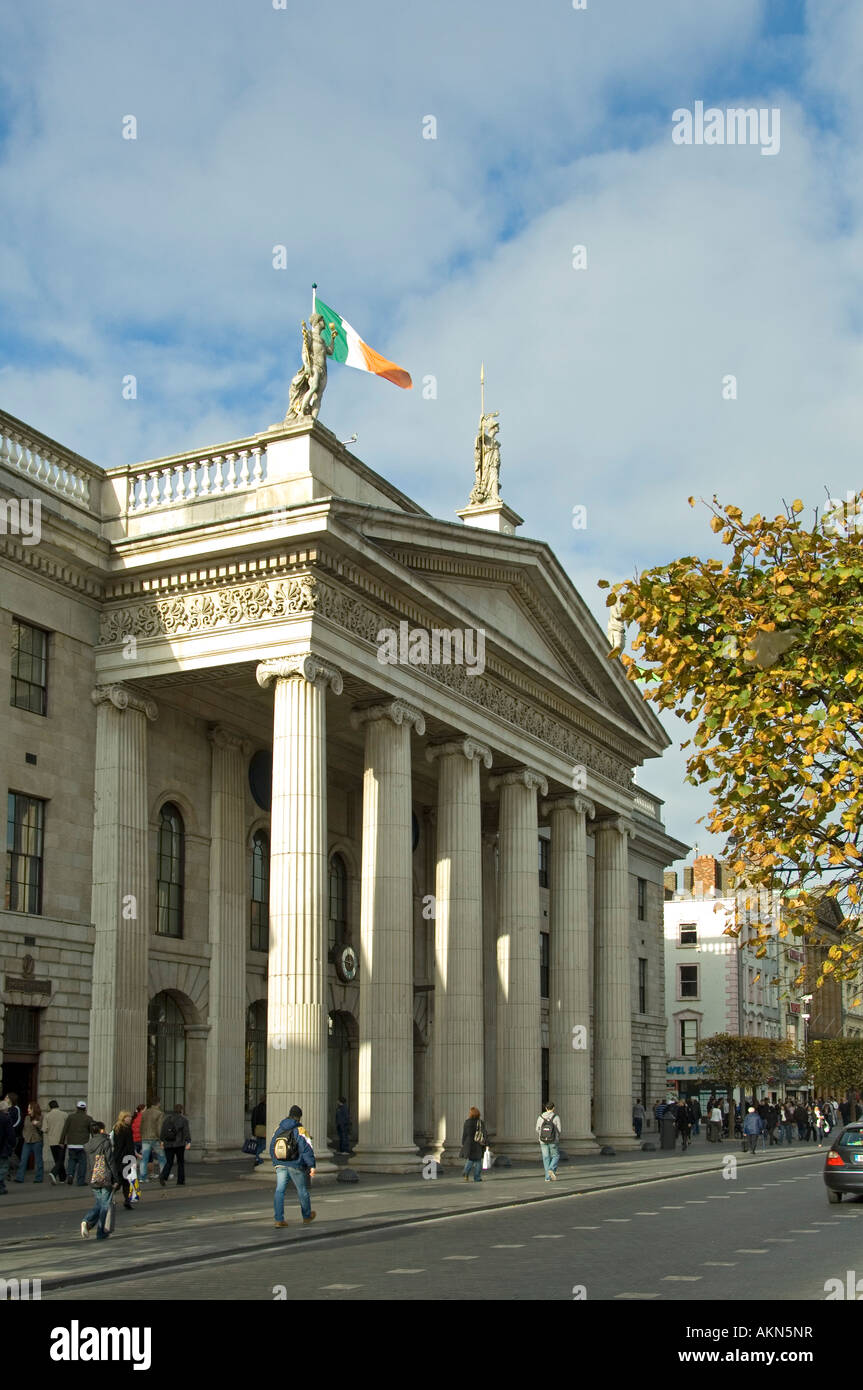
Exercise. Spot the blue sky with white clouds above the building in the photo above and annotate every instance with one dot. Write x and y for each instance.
(304, 129)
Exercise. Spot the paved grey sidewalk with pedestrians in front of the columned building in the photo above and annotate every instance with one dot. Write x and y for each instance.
(226, 1210)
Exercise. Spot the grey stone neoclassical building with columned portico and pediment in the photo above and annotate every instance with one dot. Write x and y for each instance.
(313, 794)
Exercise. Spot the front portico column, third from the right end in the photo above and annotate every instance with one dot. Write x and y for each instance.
(519, 1015)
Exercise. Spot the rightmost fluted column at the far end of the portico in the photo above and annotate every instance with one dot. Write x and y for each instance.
(614, 990)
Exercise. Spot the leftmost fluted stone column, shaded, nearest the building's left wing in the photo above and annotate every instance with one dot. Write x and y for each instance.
(117, 1075)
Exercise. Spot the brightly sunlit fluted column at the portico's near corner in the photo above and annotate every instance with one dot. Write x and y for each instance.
(297, 981)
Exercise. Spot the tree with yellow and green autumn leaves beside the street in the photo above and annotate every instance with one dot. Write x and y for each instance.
(764, 653)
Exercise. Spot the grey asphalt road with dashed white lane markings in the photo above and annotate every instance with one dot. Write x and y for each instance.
(766, 1234)
